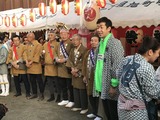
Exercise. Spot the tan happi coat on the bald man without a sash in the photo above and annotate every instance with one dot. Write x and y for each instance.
(34, 50)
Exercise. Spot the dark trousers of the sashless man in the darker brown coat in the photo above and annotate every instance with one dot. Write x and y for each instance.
(80, 98)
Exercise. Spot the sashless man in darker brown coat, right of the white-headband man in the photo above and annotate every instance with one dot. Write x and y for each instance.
(75, 62)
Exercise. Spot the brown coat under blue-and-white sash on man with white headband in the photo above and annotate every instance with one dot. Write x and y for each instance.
(62, 69)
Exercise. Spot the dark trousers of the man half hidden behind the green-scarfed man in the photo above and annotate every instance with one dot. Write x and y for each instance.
(94, 102)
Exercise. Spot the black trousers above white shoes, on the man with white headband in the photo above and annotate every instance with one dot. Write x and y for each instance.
(66, 86)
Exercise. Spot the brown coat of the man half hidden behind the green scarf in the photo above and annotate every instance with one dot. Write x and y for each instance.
(85, 72)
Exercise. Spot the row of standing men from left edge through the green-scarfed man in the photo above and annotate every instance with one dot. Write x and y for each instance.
(74, 72)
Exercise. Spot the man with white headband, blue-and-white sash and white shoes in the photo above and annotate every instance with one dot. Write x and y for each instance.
(64, 76)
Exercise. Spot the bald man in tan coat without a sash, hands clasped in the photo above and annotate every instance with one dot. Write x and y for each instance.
(34, 68)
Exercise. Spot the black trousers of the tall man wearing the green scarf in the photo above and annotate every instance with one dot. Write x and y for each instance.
(110, 109)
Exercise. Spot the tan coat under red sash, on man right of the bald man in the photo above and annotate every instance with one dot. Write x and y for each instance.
(50, 68)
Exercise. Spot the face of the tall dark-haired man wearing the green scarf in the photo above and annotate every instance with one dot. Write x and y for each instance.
(102, 30)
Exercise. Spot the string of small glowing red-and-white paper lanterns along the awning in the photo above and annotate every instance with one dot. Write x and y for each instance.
(53, 10)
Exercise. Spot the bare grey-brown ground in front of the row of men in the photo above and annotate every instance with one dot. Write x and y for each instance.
(22, 109)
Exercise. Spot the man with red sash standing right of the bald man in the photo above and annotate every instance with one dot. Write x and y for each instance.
(50, 70)
